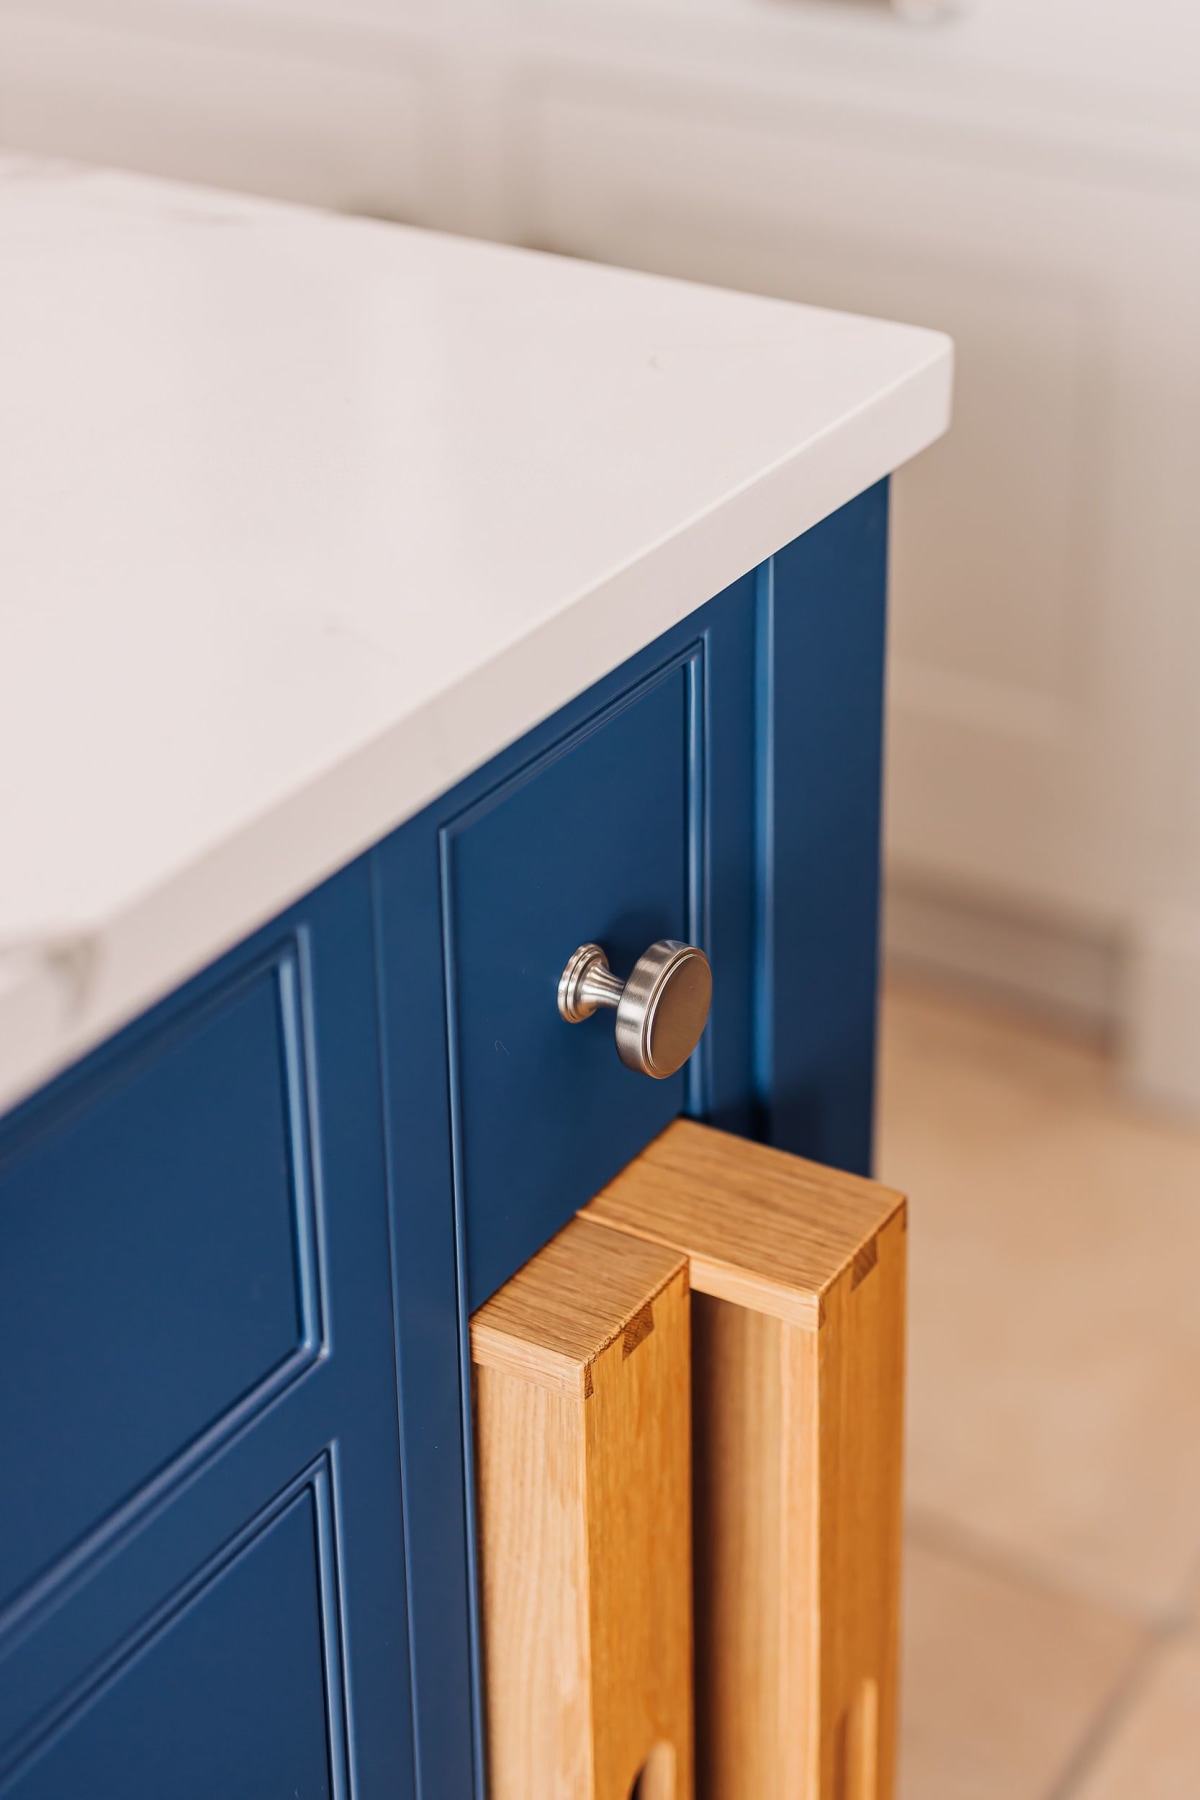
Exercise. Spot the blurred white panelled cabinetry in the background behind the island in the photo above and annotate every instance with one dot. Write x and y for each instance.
(1026, 175)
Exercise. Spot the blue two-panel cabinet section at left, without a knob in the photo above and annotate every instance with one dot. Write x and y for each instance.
(202, 1583)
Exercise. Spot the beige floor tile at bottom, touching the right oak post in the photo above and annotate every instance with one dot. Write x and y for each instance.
(1001, 1682)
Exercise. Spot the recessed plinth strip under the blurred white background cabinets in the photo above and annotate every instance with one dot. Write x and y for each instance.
(1061, 969)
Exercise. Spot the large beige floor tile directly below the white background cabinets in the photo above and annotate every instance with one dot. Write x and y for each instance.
(1055, 1335)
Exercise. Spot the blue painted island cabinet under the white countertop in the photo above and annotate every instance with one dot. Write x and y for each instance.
(242, 1241)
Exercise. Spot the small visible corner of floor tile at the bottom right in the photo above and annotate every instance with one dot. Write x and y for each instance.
(1156, 1749)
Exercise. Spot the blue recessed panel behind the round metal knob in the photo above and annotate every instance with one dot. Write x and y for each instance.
(586, 845)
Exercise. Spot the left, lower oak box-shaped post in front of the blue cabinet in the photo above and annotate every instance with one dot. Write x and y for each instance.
(584, 1471)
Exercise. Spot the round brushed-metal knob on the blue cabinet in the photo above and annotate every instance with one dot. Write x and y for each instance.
(661, 1011)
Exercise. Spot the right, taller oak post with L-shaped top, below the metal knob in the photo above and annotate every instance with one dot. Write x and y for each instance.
(798, 1416)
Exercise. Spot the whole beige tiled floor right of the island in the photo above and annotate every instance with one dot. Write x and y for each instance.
(1053, 1583)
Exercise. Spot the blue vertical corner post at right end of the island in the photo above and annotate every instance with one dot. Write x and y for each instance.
(823, 606)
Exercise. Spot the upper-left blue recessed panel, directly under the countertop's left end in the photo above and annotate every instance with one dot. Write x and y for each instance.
(172, 1221)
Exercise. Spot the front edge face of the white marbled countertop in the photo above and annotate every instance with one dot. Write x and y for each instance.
(62, 998)
